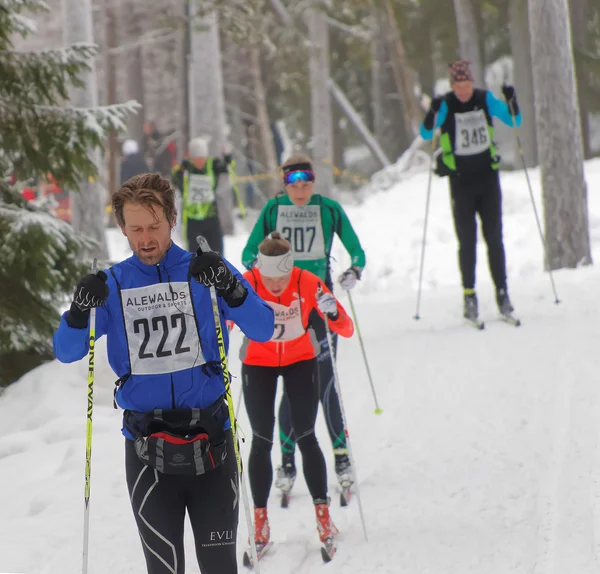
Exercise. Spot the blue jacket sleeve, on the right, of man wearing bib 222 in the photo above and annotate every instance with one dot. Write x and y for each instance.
(254, 317)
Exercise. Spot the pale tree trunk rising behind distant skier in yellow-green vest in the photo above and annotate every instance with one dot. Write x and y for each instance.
(209, 103)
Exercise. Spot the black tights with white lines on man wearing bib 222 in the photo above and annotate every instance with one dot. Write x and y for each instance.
(160, 501)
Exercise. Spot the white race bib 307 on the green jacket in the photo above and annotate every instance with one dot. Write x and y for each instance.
(301, 226)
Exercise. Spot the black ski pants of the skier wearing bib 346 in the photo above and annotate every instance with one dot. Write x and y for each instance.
(472, 195)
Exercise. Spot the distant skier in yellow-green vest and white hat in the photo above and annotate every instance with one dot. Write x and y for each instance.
(196, 179)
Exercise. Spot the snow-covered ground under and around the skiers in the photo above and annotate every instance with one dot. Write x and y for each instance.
(485, 459)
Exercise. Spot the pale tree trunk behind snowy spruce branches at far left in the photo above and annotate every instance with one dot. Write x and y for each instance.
(88, 205)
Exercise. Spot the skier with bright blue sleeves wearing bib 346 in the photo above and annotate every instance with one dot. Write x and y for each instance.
(468, 156)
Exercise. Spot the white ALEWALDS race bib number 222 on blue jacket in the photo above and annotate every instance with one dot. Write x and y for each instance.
(161, 329)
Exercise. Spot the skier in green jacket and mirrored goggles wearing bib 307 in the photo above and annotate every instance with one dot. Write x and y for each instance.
(308, 221)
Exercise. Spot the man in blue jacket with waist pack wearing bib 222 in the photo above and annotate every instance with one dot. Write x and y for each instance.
(155, 309)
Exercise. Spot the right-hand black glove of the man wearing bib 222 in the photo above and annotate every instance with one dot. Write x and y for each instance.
(210, 269)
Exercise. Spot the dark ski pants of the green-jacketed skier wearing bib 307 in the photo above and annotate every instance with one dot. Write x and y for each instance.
(327, 395)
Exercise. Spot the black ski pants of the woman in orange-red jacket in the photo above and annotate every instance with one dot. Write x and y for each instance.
(260, 387)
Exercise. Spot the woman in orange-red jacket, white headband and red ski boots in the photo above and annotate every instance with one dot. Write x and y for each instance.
(294, 294)
